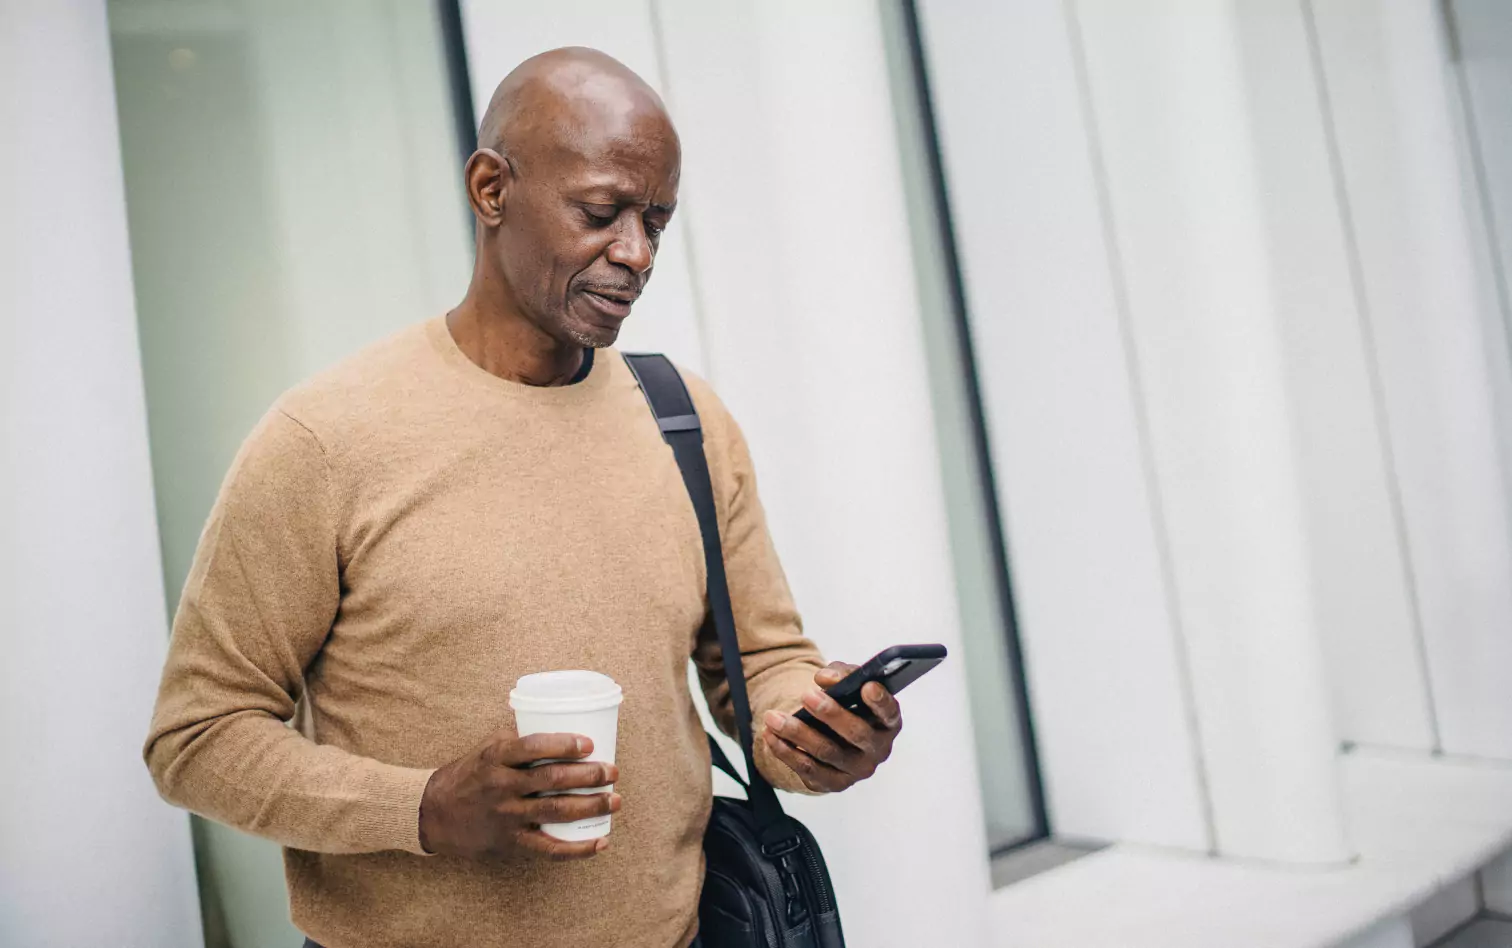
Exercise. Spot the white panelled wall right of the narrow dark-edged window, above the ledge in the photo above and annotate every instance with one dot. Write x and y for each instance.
(1247, 373)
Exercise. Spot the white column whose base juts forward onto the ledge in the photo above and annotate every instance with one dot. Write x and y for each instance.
(1241, 314)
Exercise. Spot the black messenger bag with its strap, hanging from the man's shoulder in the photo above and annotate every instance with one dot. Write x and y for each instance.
(766, 884)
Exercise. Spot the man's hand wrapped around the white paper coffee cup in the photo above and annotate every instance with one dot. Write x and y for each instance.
(485, 805)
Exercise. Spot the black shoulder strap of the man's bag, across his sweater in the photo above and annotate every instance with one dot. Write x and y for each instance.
(680, 426)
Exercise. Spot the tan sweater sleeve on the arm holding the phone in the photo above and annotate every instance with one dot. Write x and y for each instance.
(778, 658)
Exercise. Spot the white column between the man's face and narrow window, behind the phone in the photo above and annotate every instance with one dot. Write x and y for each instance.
(801, 238)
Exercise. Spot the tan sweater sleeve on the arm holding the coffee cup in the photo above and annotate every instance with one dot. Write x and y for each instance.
(256, 610)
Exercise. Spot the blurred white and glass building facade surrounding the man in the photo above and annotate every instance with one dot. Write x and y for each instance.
(1151, 355)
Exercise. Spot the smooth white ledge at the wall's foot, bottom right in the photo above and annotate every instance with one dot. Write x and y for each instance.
(1419, 823)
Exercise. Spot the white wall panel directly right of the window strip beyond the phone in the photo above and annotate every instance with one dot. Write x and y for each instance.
(1101, 649)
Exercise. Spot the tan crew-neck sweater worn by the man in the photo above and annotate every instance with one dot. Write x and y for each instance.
(397, 544)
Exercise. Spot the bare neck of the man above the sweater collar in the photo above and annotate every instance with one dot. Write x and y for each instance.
(512, 347)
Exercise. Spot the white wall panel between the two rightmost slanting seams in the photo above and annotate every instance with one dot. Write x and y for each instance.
(1440, 342)
